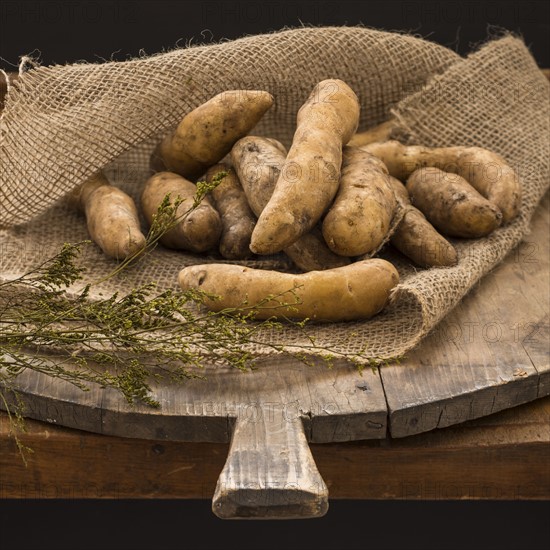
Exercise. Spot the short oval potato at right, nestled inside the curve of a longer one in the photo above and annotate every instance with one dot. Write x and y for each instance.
(451, 204)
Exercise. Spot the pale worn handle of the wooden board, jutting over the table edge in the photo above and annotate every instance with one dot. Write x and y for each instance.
(270, 472)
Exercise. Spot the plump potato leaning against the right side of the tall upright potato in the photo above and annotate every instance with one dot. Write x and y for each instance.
(361, 215)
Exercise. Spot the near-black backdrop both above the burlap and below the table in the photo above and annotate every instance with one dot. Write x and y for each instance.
(61, 32)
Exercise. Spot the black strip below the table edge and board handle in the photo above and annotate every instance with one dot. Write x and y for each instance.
(349, 525)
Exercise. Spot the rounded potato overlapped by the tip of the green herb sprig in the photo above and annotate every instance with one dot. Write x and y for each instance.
(198, 230)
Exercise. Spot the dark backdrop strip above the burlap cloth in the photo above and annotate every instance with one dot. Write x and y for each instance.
(92, 30)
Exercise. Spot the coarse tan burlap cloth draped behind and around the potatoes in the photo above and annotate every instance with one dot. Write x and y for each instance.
(63, 123)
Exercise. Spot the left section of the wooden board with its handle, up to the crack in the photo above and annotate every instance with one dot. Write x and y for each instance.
(269, 472)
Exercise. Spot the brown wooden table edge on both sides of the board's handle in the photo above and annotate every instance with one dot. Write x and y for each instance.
(501, 456)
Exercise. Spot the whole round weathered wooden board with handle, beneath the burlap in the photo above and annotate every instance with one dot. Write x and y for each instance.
(489, 354)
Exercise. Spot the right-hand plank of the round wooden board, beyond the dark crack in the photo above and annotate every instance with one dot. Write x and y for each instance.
(490, 353)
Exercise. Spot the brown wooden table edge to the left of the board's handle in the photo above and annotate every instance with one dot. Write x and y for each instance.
(68, 463)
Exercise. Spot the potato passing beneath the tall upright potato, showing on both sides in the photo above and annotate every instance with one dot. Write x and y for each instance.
(258, 162)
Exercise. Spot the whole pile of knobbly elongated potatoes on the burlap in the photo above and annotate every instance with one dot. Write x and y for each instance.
(330, 203)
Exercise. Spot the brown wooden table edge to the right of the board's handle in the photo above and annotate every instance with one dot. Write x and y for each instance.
(502, 456)
